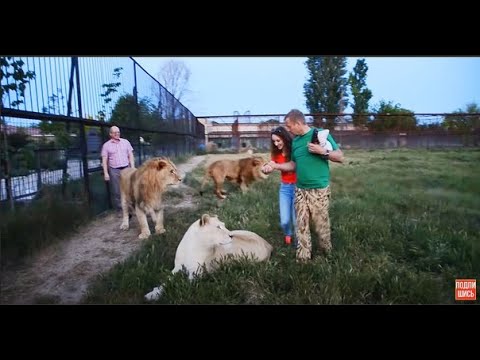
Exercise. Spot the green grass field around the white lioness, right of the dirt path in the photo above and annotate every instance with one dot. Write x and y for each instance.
(405, 225)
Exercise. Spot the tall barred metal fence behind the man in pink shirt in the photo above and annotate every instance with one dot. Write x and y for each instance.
(54, 123)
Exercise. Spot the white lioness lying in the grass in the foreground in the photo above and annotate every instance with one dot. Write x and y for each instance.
(207, 241)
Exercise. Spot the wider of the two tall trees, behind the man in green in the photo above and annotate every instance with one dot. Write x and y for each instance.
(326, 88)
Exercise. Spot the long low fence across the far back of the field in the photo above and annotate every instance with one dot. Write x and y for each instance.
(380, 130)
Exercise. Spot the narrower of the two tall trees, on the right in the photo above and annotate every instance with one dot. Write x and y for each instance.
(361, 94)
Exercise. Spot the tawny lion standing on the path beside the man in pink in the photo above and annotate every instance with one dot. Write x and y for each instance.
(142, 189)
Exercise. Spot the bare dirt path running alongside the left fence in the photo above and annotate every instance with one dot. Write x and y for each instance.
(61, 273)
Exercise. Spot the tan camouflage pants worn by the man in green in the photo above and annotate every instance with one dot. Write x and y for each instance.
(312, 204)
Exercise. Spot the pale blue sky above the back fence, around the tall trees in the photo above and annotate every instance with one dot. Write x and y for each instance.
(274, 85)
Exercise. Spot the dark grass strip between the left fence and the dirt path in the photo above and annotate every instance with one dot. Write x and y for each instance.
(51, 216)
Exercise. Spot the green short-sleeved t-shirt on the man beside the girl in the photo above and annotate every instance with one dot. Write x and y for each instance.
(312, 170)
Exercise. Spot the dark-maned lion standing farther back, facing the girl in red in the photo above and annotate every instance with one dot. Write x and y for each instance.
(243, 171)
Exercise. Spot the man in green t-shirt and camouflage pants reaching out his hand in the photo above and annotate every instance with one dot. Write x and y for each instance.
(312, 194)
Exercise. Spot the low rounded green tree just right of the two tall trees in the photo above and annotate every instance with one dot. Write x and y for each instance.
(392, 117)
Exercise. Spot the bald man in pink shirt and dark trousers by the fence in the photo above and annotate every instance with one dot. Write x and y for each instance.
(117, 154)
